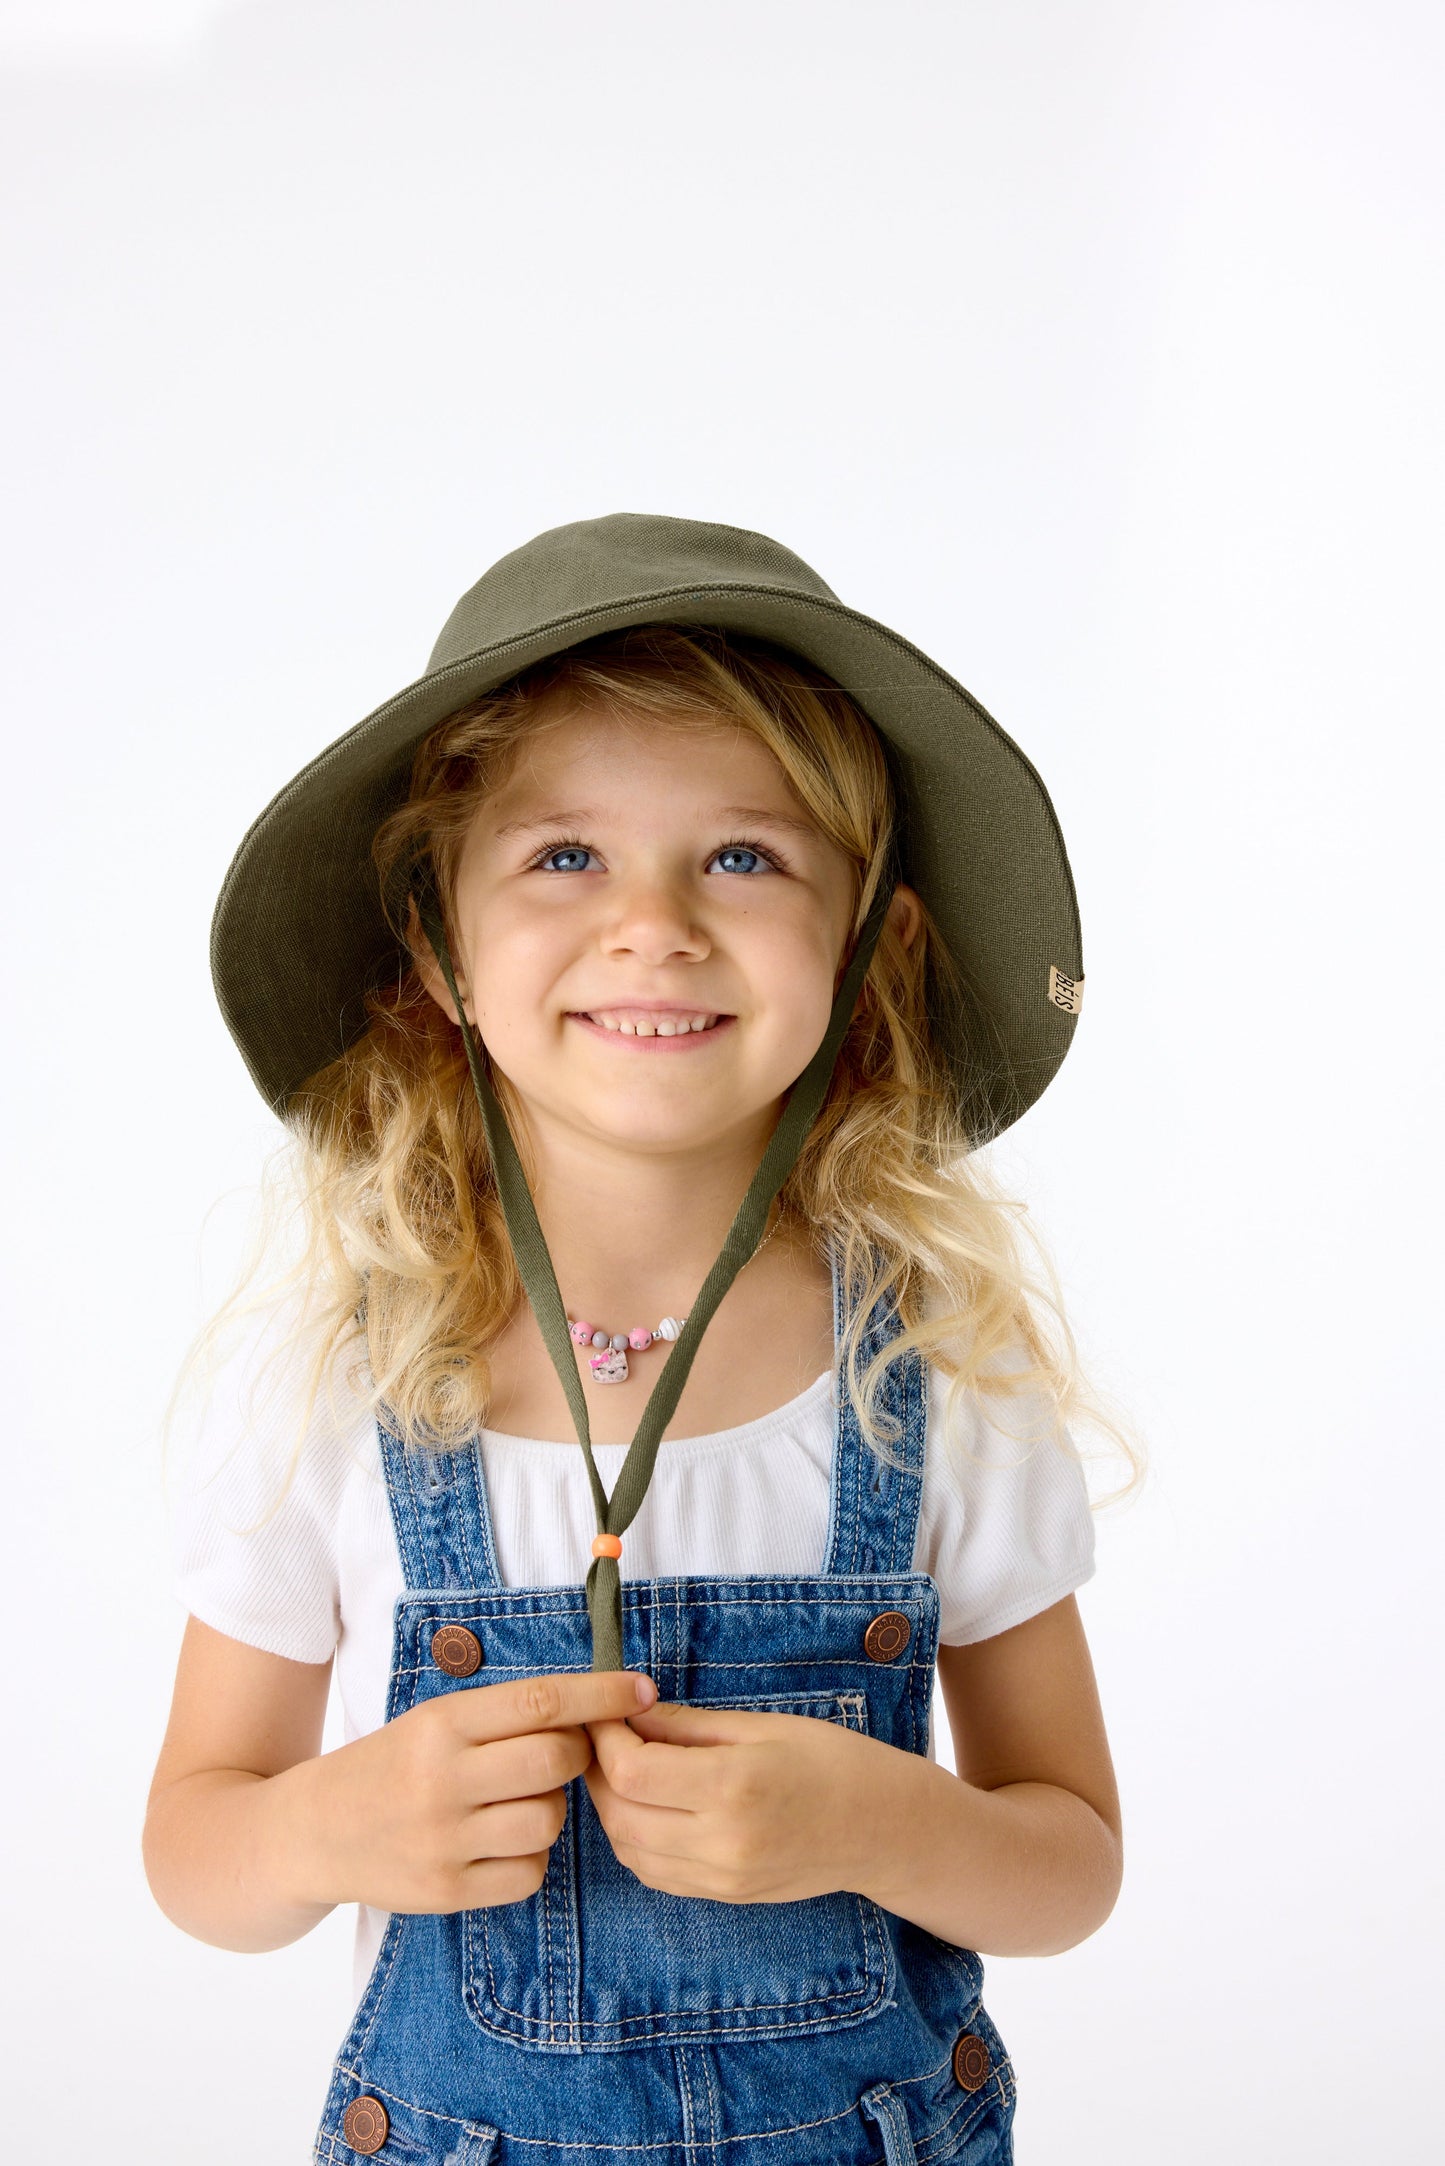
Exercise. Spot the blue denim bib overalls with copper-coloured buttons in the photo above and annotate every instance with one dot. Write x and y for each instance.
(608, 2024)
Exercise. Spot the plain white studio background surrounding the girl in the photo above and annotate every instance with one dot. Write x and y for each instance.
(1095, 348)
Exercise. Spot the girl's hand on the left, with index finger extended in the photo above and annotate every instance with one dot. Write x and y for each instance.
(458, 1803)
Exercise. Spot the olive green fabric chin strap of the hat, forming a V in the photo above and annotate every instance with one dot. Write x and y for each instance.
(744, 1238)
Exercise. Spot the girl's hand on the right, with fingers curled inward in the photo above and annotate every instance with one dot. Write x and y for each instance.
(735, 1803)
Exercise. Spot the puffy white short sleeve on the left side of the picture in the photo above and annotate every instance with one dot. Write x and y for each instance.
(255, 1541)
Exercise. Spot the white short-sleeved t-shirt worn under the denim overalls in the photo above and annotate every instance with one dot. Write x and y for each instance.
(1004, 1522)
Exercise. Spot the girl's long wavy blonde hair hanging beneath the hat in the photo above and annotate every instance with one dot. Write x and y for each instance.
(404, 1257)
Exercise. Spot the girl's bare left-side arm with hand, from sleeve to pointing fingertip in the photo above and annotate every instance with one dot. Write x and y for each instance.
(250, 1838)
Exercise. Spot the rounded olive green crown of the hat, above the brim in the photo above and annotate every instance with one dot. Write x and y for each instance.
(599, 564)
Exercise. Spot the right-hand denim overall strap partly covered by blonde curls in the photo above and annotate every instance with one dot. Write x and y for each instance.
(874, 1517)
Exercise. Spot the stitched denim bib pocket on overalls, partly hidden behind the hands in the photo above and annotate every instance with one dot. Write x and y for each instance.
(597, 1961)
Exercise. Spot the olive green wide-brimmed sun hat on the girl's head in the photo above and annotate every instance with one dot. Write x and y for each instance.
(300, 932)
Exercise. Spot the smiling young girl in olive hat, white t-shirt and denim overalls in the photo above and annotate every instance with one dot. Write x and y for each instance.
(638, 987)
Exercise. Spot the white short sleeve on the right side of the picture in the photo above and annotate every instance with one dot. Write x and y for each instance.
(1006, 1524)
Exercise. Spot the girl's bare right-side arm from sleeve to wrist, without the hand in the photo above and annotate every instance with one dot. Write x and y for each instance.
(1021, 1851)
